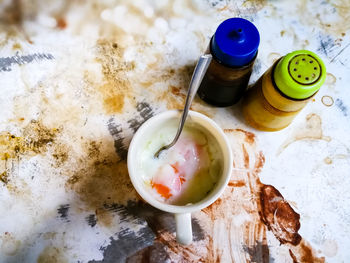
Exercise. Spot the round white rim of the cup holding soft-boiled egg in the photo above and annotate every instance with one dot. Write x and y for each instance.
(146, 195)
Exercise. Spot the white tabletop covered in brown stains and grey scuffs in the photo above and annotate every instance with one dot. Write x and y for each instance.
(78, 78)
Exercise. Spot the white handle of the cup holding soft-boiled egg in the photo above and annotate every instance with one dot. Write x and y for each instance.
(183, 228)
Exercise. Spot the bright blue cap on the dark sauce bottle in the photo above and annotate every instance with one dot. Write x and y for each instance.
(235, 42)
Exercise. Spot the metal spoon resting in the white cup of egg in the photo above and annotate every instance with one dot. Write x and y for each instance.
(197, 77)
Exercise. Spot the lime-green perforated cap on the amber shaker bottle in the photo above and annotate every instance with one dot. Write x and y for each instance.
(300, 74)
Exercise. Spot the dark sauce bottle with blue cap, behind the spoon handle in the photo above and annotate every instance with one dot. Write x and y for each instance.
(234, 48)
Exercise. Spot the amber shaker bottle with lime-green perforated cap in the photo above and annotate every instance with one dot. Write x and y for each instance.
(283, 91)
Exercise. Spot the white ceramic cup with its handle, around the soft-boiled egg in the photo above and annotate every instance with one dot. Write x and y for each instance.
(182, 213)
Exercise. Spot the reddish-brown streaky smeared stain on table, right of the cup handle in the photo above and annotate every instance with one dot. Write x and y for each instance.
(262, 207)
